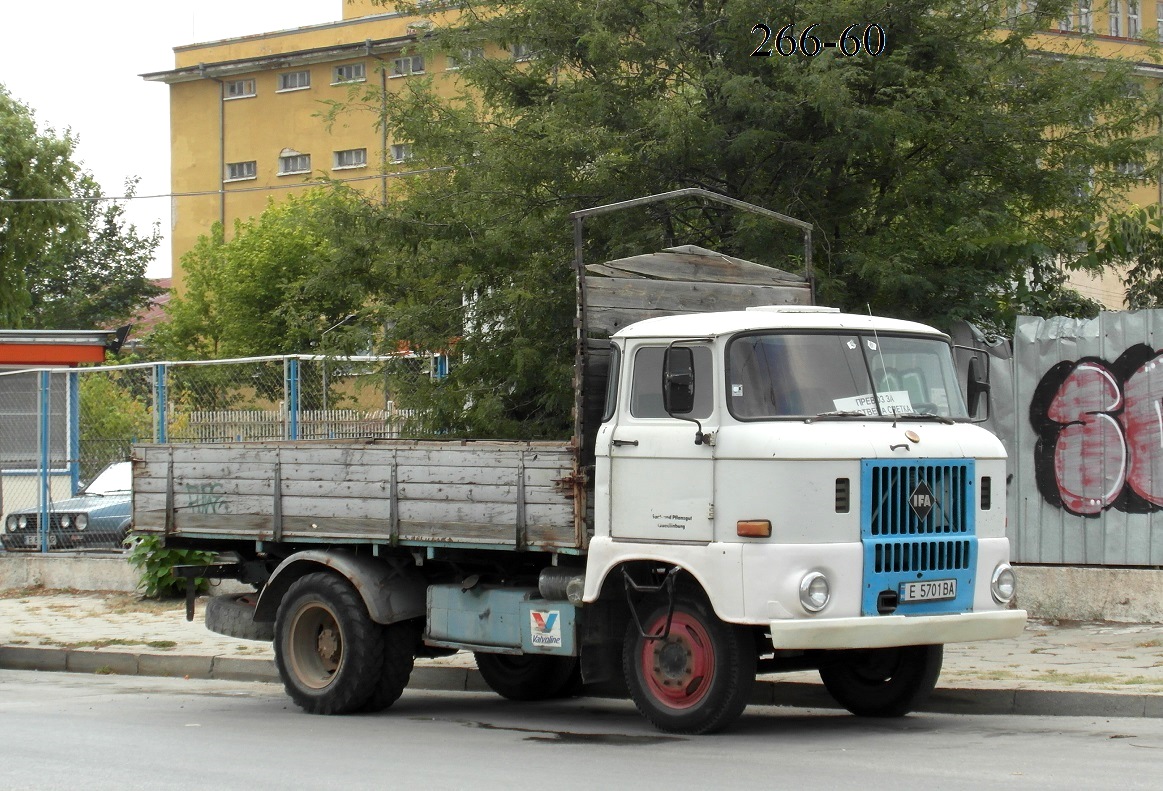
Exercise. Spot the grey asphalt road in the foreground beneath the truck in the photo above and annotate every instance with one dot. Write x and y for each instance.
(68, 731)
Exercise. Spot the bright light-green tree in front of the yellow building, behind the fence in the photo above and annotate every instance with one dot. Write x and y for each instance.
(284, 277)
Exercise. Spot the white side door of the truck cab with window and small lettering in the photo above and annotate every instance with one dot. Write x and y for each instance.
(662, 482)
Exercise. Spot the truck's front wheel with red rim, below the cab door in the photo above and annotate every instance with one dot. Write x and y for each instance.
(700, 679)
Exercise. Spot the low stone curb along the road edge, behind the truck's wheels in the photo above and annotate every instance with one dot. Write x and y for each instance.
(944, 701)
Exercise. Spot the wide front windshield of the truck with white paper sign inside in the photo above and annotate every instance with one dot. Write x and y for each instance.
(787, 375)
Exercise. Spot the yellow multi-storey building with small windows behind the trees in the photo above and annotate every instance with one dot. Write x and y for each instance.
(246, 113)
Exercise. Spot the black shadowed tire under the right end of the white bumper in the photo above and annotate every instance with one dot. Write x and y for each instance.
(883, 682)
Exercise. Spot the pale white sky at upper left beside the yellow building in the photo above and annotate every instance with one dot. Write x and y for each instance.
(77, 65)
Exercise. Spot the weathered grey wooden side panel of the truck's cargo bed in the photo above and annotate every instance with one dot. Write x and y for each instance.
(509, 495)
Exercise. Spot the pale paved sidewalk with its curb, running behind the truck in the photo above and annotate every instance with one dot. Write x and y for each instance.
(1069, 668)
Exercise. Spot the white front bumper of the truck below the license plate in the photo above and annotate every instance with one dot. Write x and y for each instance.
(890, 631)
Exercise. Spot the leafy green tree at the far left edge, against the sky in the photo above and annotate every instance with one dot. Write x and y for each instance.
(65, 265)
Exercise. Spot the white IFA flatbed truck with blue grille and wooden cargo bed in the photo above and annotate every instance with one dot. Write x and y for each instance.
(755, 484)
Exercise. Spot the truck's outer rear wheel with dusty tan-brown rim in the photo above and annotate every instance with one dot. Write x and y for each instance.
(329, 651)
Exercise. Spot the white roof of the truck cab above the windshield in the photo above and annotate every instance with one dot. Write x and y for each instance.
(800, 317)
